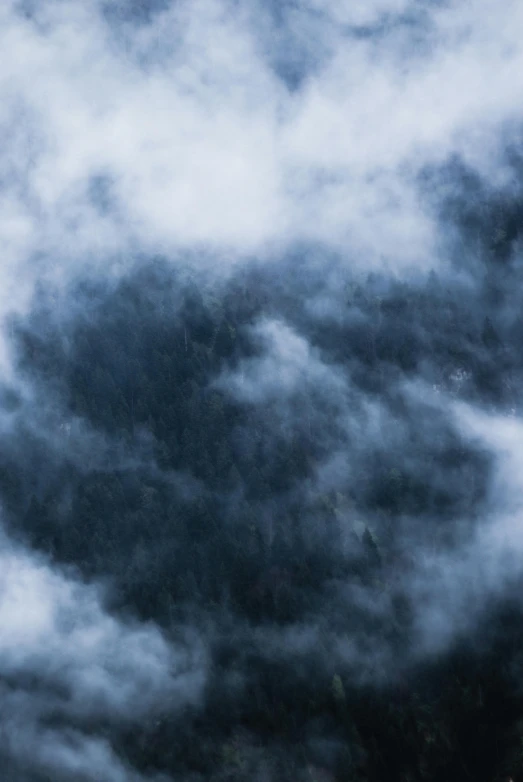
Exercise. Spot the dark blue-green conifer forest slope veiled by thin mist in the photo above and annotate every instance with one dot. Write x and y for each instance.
(265, 461)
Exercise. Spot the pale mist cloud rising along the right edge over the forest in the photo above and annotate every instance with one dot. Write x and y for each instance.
(451, 591)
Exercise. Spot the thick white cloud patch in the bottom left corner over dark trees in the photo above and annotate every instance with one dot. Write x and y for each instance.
(70, 671)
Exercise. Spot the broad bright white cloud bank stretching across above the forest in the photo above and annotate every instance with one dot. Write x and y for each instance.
(198, 142)
